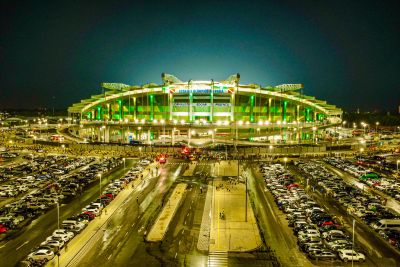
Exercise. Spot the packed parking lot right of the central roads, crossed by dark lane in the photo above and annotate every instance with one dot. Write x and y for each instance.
(323, 232)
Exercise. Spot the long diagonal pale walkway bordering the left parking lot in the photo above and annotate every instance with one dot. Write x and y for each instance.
(71, 254)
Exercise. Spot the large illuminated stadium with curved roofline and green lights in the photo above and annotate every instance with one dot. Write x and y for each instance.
(215, 111)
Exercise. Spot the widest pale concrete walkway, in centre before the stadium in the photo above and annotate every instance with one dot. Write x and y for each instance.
(232, 232)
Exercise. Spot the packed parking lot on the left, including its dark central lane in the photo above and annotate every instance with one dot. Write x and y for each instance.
(56, 196)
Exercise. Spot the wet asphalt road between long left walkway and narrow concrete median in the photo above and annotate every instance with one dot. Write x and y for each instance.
(123, 243)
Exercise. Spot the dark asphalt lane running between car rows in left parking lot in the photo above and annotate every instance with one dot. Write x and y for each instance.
(38, 230)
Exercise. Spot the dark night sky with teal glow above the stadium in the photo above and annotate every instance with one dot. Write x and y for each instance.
(345, 52)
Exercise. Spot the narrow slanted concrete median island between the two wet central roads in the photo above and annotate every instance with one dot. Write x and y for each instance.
(160, 227)
